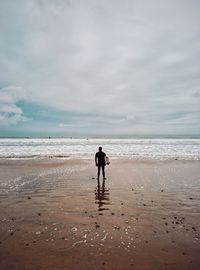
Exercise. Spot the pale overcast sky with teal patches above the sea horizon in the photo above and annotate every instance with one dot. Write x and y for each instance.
(99, 67)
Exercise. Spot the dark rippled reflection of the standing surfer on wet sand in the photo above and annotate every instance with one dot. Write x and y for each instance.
(102, 196)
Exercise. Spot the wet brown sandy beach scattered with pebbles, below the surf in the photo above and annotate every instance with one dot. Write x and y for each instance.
(54, 214)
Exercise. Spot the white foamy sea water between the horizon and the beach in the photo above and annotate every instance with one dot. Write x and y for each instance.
(155, 148)
